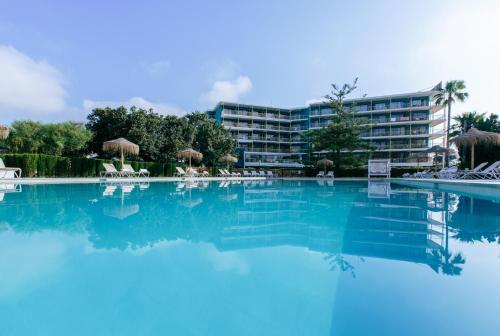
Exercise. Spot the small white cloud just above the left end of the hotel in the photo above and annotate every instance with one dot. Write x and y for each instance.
(228, 90)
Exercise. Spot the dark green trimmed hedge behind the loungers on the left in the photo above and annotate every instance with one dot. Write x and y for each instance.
(42, 165)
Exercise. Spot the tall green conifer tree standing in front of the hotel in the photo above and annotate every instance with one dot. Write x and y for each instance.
(342, 136)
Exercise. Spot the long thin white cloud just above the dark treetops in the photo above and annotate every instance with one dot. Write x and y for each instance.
(139, 102)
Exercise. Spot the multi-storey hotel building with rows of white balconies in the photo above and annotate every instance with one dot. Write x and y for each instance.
(400, 126)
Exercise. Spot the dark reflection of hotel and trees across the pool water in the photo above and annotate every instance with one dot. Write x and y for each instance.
(337, 219)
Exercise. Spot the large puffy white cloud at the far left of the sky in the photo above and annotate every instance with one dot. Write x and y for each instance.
(29, 86)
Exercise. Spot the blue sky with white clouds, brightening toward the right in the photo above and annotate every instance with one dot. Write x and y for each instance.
(61, 59)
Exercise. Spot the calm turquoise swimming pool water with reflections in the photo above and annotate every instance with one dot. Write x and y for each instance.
(260, 258)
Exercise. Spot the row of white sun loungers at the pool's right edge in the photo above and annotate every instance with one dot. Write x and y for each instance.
(481, 172)
